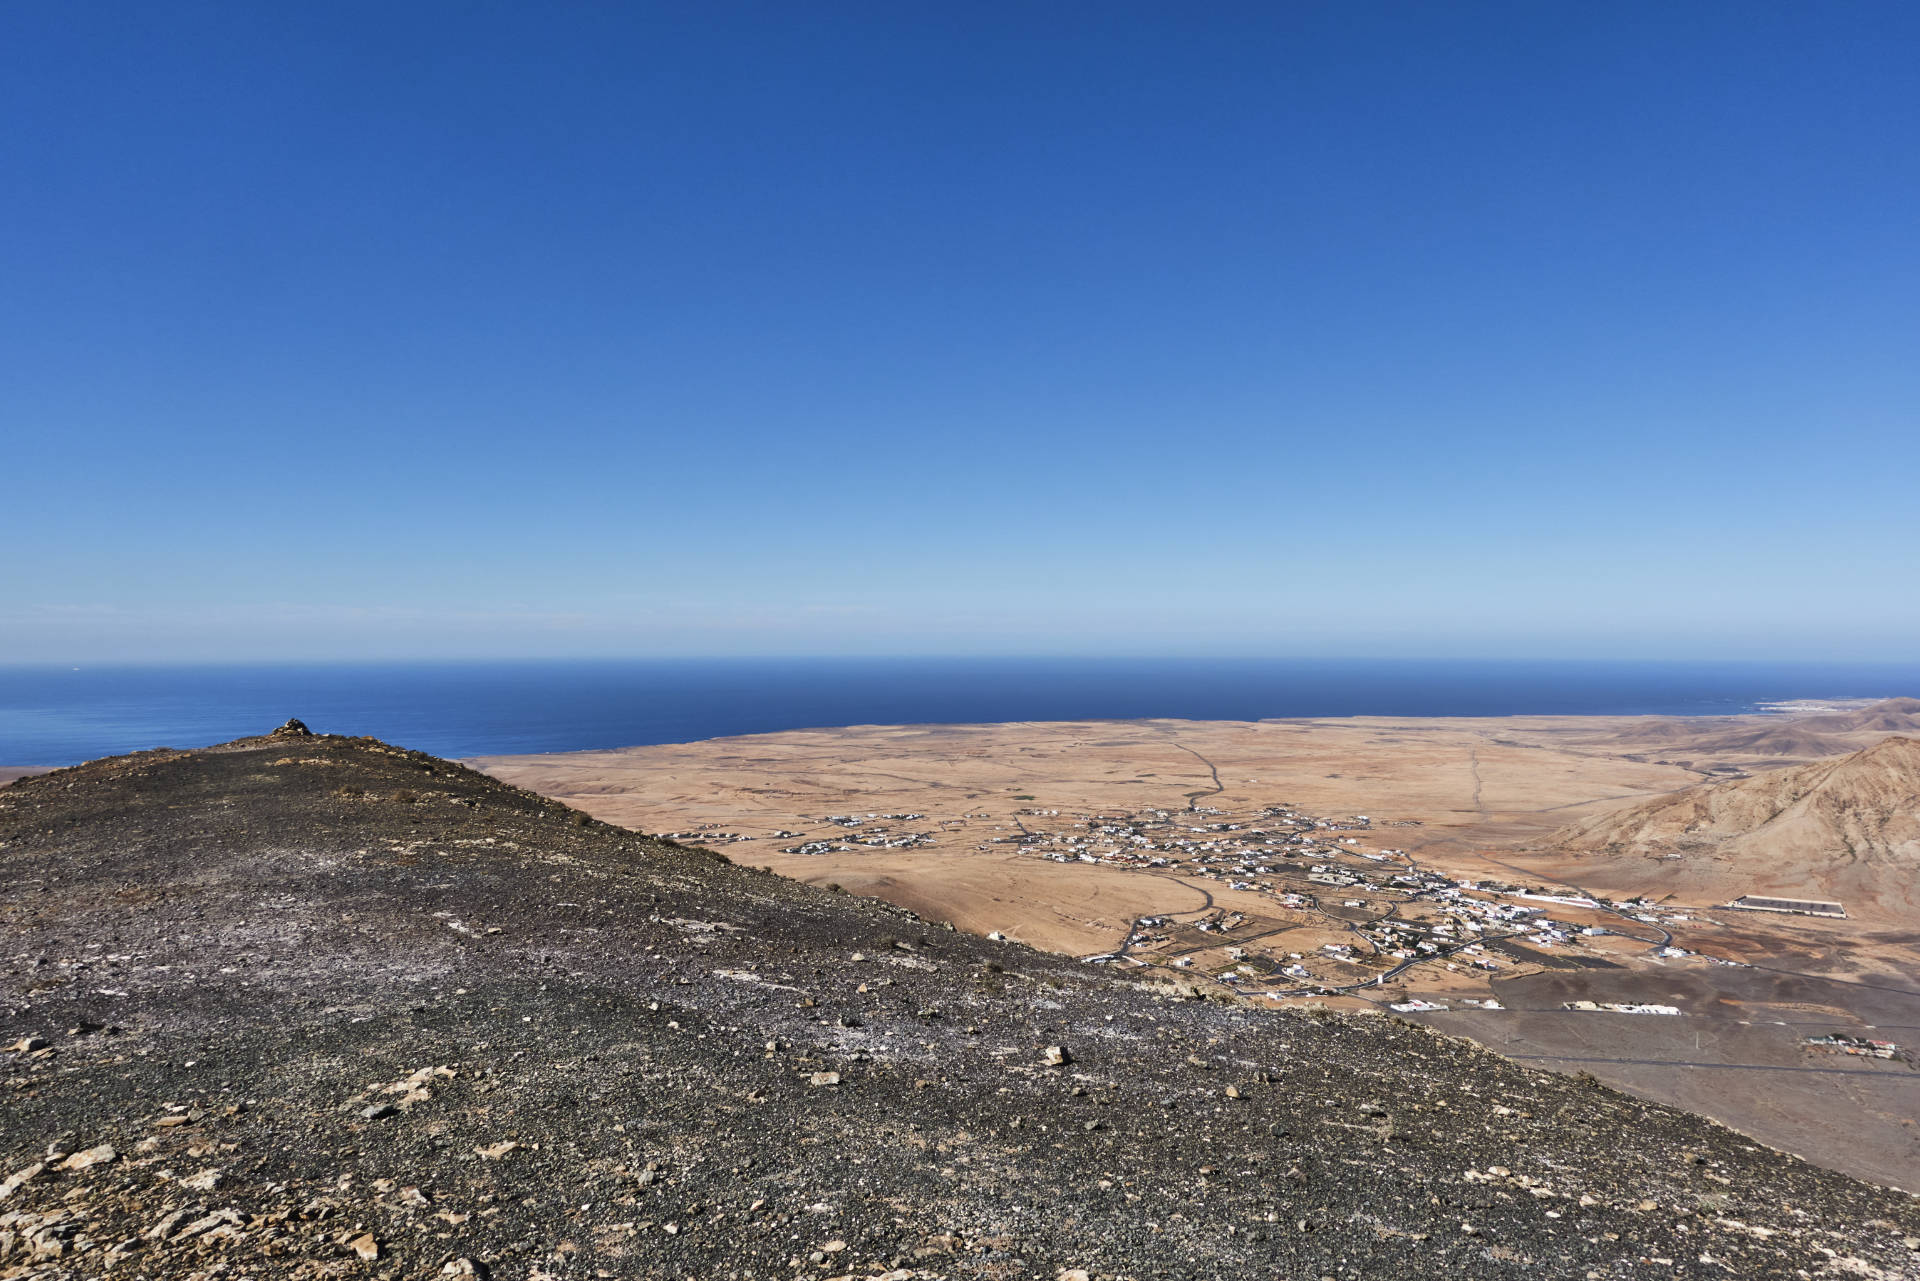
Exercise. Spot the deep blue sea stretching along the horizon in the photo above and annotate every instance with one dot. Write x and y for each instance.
(59, 715)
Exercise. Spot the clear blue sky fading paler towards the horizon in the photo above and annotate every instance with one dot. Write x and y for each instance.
(1272, 329)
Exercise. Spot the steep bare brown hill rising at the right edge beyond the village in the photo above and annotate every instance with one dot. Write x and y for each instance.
(1844, 829)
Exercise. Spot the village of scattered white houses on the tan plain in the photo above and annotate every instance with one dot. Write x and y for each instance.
(1299, 906)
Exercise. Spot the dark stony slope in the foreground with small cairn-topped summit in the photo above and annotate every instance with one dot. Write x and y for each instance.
(322, 1007)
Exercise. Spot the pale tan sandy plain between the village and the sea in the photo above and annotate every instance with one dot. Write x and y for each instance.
(1464, 783)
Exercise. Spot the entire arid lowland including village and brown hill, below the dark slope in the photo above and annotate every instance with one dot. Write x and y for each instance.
(1499, 879)
